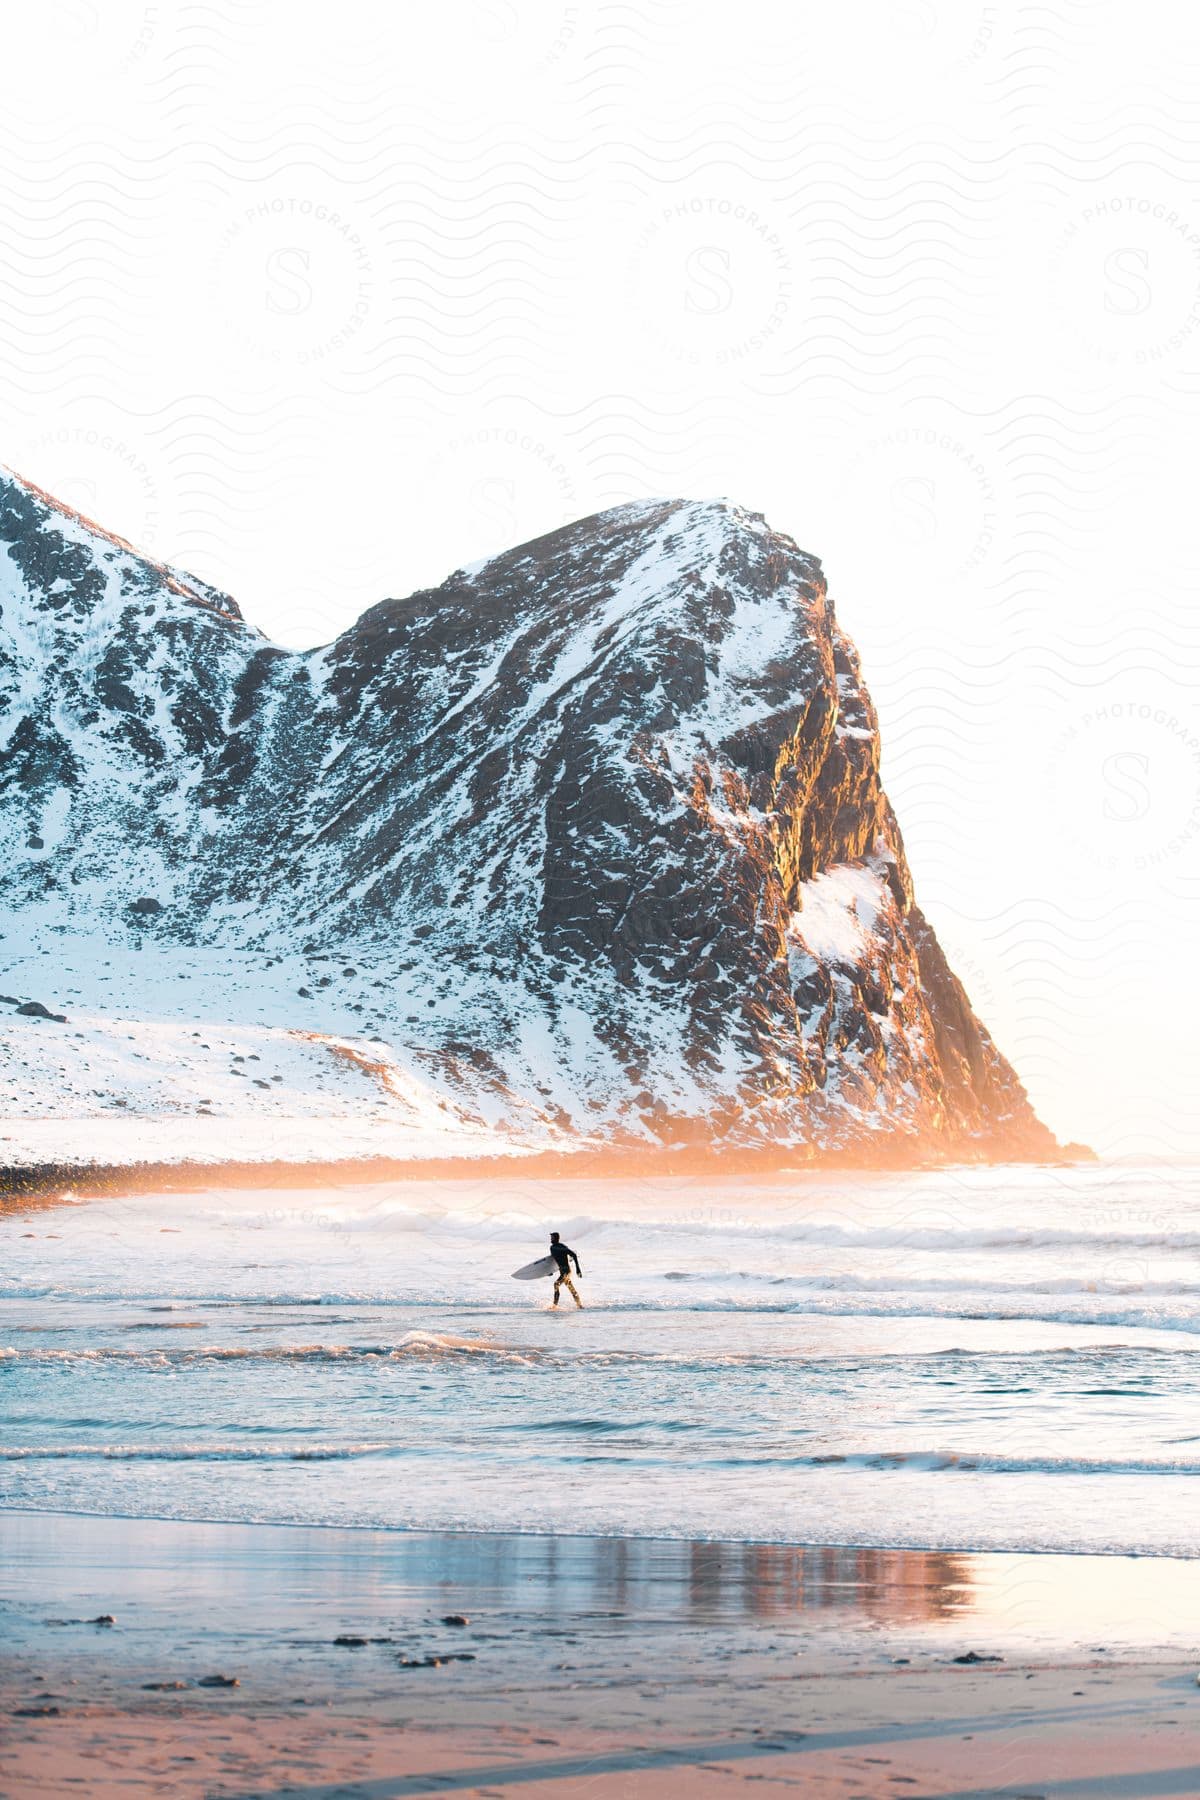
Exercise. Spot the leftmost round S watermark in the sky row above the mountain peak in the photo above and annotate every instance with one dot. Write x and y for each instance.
(296, 278)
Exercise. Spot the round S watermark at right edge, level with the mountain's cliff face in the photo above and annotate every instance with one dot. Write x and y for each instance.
(1127, 777)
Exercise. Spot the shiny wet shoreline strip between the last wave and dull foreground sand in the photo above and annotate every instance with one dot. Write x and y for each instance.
(1016, 1597)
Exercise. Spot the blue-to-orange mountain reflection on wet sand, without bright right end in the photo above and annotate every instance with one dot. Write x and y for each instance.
(390, 1574)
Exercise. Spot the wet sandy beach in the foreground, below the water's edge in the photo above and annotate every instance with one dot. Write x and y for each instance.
(593, 1668)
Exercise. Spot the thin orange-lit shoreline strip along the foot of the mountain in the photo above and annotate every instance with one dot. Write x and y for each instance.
(49, 1182)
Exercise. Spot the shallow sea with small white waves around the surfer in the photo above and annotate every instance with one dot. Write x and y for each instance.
(956, 1360)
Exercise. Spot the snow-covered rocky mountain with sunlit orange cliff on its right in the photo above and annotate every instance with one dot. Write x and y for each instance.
(584, 847)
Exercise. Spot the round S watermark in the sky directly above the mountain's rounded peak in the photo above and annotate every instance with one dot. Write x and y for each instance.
(713, 280)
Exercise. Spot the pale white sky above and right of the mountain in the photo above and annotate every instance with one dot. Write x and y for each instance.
(321, 303)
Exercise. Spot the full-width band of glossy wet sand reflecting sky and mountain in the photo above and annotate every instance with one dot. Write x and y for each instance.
(175, 1579)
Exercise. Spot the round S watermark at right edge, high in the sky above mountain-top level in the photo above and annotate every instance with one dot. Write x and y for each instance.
(1129, 278)
